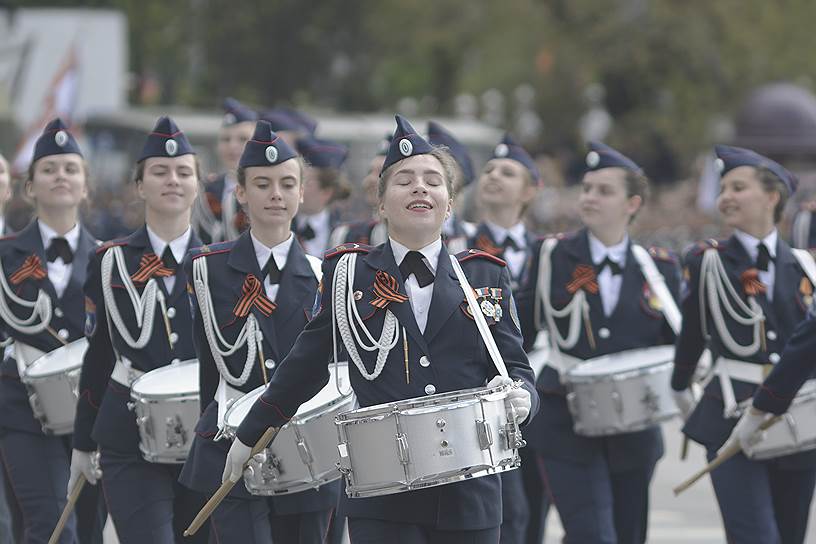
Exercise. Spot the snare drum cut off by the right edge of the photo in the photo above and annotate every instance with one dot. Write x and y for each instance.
(794, 432)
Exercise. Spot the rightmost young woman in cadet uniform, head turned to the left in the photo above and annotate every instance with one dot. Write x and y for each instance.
(762, 293)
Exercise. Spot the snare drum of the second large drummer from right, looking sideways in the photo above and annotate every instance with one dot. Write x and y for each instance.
(621, 392)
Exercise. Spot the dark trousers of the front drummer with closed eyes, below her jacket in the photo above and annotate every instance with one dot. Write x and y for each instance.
(374, 531)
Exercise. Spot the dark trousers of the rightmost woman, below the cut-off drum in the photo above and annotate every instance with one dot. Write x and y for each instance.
(761, 502)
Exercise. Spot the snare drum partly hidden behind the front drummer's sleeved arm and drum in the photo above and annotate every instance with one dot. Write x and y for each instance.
(304, 453)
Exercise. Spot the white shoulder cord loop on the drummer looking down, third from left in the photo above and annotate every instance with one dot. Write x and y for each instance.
(250, 335)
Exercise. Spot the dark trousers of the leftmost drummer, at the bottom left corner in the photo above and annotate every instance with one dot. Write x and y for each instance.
(37, 468)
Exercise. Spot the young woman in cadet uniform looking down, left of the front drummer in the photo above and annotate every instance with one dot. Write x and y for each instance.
(262, 282)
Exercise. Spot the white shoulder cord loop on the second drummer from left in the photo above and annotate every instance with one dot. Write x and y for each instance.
(144, 305)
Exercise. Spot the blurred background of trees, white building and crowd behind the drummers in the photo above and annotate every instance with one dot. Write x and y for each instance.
(660, 80)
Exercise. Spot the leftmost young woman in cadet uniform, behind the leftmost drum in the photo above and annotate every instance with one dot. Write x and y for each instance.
(46, 261)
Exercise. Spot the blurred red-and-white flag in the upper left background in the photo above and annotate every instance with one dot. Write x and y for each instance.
(60, 101)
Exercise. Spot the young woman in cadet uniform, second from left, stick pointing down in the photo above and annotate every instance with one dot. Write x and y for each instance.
(125, 341)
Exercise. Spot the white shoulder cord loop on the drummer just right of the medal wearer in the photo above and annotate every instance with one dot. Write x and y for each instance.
(575, 309)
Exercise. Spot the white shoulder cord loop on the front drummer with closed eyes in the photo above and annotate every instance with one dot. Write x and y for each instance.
(343, 286)
